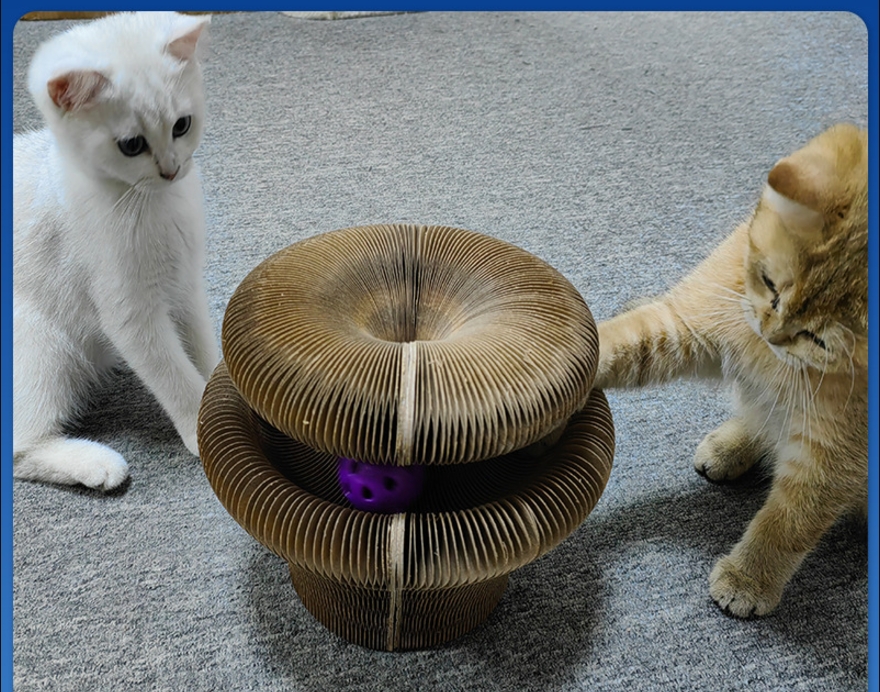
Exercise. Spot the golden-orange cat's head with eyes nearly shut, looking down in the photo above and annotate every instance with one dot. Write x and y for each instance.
(807, 257)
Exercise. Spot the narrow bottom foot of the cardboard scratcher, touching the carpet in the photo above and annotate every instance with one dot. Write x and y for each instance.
(406, 620)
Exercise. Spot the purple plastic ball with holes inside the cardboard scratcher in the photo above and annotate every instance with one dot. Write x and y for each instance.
(380, 487)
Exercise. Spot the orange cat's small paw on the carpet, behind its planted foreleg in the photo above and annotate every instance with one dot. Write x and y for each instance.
(727, 452)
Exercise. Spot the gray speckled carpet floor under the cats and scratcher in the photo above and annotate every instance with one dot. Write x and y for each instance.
(620, 148)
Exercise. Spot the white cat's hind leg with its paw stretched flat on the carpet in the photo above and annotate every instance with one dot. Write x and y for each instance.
(50, 375)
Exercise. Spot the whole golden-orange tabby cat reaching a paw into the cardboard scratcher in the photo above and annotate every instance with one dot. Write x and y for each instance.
(780, 309)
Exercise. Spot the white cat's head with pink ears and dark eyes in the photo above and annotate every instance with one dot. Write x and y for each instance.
(123, 95)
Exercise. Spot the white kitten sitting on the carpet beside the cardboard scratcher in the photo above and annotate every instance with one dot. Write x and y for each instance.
(108, 237)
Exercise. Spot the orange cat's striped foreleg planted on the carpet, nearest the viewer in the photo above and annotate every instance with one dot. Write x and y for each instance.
(803, 503)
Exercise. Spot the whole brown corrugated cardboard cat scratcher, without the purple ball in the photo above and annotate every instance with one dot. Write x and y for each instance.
(406, 345)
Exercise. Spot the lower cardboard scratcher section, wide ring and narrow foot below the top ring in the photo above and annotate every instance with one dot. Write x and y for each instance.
(414, 579)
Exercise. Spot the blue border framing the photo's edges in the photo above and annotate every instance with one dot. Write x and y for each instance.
(14, 9)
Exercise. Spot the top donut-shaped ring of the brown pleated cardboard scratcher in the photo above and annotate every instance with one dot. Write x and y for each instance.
(406, 344)
